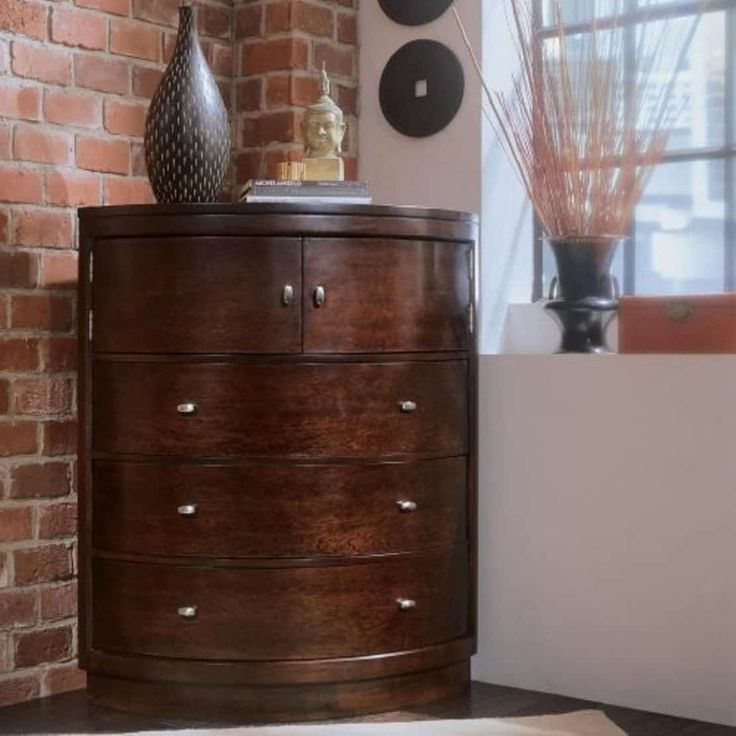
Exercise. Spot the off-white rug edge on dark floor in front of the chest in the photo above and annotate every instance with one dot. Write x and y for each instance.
(583, 723)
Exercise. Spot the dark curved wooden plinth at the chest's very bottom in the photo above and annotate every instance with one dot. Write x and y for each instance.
(272, 703)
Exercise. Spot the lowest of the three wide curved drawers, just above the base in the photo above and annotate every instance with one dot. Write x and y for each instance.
(288, 613)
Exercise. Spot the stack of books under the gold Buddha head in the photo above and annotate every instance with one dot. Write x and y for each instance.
(321, 192)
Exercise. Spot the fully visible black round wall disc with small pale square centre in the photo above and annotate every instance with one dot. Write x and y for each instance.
(422, 88)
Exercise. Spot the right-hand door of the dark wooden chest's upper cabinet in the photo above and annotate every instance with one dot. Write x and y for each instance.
(385, 295)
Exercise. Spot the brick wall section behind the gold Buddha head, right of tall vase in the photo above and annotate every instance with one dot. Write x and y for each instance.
(279, 48)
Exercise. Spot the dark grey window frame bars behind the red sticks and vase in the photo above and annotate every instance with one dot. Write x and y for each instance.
(632, 16)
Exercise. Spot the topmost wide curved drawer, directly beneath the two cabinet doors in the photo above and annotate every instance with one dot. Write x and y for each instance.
(288, 410)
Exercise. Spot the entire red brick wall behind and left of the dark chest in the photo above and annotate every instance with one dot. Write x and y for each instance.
(75, 80)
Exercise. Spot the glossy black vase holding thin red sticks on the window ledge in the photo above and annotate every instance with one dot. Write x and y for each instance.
(583, 298)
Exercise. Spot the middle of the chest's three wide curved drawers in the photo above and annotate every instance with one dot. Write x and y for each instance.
(268, 510)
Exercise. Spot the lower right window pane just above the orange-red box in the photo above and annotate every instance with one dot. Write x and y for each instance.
(680, 231)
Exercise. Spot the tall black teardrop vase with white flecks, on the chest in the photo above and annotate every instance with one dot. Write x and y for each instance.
(187, 131)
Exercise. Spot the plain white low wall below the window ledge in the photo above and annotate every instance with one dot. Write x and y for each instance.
(608, 530)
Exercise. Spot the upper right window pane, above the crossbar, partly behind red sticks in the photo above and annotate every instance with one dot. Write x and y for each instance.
(698, 88)
